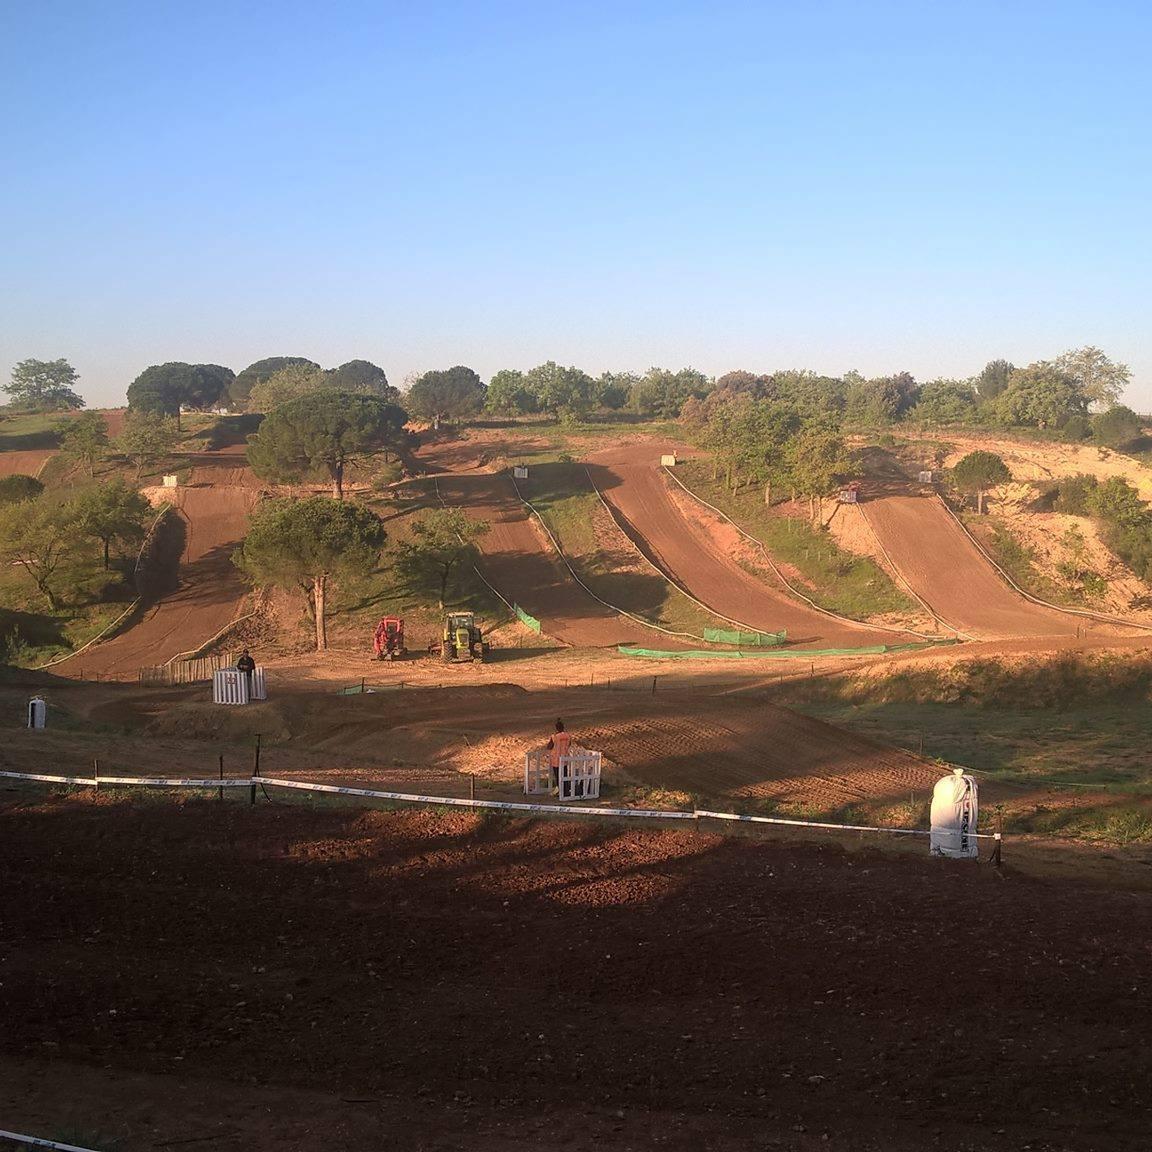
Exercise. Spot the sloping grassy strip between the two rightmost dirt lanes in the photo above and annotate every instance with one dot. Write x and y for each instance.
(854, 587)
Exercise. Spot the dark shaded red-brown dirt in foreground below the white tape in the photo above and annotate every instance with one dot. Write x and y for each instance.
(283, 979)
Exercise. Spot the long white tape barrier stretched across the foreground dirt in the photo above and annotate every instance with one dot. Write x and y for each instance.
(651, 814)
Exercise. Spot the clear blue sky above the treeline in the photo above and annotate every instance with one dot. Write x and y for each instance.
(820, 184)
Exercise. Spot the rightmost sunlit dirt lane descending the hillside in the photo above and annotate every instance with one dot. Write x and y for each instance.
(948, 572)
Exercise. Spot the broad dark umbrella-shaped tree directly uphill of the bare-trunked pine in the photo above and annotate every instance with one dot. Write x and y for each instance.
(323, 434)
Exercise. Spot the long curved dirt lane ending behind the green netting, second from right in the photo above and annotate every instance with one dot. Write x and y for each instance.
(683, 549)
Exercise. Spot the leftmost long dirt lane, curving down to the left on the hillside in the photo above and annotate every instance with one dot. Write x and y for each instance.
(215, 506)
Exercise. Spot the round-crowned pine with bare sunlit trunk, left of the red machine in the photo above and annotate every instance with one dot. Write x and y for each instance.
(306, 544)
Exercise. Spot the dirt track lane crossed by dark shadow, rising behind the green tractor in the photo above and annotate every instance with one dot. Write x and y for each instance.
(520, 563)
